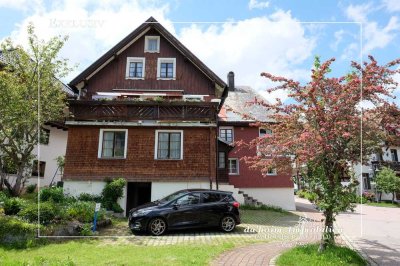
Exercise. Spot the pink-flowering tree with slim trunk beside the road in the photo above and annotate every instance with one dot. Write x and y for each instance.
(325, 128)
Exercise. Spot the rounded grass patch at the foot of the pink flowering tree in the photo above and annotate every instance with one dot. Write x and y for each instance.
(308, 255)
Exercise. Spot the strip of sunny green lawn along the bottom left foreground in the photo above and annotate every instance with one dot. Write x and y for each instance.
(95, 252)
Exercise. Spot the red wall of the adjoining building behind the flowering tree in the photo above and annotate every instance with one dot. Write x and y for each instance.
(253, 178)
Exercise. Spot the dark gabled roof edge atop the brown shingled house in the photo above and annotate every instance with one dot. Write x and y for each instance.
(150, 23)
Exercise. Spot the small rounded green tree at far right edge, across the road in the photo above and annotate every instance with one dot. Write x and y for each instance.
(387, 181)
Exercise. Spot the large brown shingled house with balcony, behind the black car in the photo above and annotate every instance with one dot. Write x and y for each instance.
(147, 112)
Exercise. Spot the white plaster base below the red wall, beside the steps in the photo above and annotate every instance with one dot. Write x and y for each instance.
(280, 197)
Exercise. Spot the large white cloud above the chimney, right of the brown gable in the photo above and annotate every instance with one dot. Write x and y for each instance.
(275, 44)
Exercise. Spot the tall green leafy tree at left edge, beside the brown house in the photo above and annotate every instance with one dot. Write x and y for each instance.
(29, 96)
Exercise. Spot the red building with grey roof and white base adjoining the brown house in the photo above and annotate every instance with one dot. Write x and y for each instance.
(275, 188)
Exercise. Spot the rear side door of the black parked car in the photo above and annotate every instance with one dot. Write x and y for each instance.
(212, 208)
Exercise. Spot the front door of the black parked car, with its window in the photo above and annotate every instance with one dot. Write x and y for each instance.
(185, 212)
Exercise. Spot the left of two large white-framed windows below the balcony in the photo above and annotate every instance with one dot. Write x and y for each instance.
(113, 143)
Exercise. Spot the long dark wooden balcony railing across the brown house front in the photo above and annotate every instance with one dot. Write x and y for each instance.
(130, 111)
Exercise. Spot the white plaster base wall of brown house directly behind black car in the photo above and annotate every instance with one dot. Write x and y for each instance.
(162, 189)
